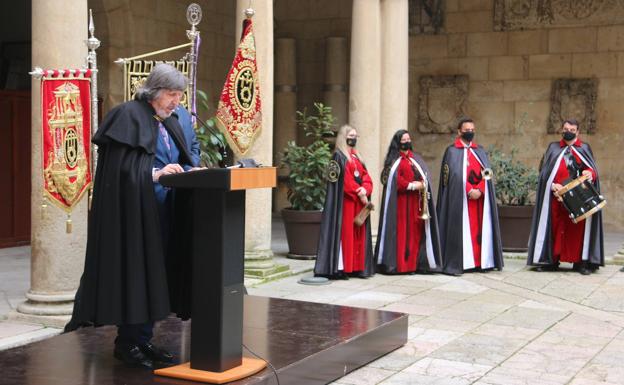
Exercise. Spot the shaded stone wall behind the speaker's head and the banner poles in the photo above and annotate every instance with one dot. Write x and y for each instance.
(132, 27)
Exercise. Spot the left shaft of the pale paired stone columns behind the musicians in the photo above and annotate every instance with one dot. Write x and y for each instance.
(365, 88)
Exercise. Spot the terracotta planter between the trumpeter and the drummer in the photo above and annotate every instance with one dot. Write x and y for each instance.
(515, 225)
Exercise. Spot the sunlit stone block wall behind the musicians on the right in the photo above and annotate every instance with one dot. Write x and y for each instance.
(511, 74)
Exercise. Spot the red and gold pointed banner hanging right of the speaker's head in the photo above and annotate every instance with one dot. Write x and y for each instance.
(239, 113)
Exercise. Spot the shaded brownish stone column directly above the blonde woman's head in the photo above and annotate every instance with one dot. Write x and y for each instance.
(335, 89)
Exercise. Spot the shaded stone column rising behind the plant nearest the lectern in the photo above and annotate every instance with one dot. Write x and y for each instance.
(285, 109)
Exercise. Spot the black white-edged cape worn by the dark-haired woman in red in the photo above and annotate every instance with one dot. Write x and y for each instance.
(385, 256)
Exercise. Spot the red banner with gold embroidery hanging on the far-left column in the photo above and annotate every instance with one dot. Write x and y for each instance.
(66, 139)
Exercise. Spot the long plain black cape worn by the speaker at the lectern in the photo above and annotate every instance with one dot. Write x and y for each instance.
(125, 277)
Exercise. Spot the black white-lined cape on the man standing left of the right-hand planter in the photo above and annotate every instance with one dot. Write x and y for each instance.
(451, 194)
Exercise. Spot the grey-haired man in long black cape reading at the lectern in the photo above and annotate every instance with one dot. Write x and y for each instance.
(125, 279)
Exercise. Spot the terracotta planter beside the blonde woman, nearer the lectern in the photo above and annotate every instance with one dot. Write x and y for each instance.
(302, 232)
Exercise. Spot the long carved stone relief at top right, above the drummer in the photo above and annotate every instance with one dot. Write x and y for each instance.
(527, 14)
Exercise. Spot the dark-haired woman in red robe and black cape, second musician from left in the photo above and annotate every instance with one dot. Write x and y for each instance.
(406, 242)
